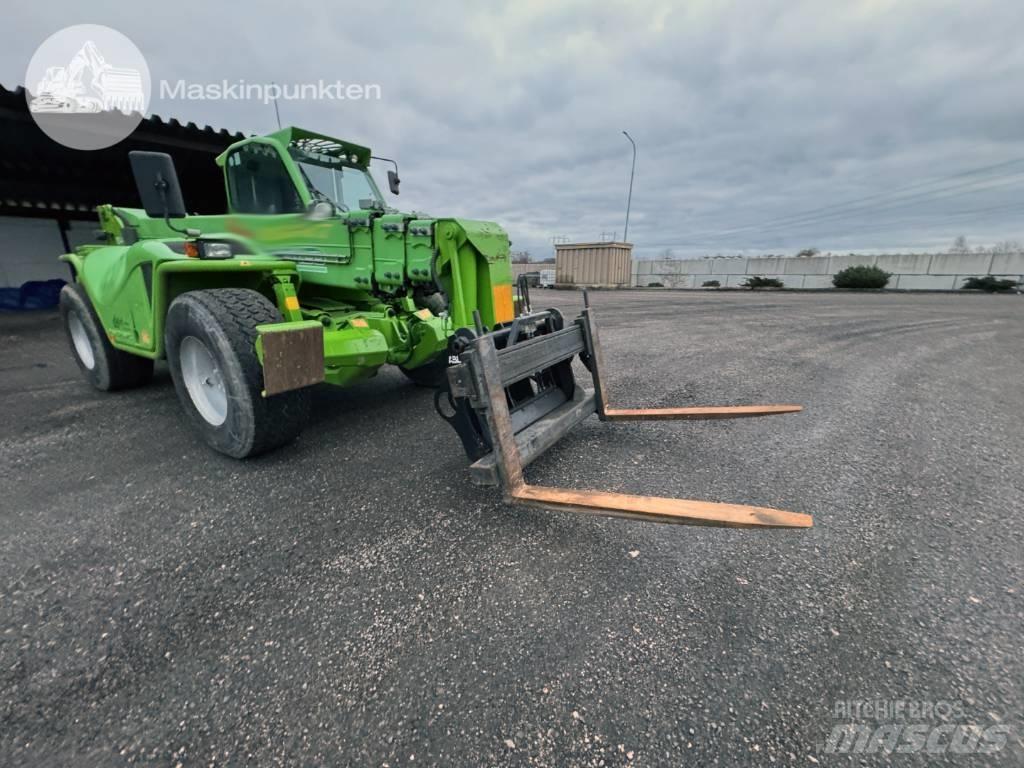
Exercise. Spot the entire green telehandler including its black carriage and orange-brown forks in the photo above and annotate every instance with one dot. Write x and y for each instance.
(310, 278)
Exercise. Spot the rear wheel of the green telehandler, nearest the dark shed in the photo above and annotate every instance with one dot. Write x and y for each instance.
(105, 367)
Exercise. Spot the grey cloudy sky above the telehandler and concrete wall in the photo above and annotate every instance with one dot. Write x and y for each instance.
(762, 126)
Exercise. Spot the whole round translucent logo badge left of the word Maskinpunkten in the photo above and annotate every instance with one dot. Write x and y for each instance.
(88, 87)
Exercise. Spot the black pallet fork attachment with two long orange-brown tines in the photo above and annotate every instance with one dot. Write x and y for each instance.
(511, 396)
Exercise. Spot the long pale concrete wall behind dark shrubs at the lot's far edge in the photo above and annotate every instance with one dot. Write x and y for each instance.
(941, 272)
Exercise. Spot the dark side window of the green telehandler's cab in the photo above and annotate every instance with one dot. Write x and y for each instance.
(259, 182)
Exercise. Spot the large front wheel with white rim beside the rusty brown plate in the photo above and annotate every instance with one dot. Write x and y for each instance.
(211, 351)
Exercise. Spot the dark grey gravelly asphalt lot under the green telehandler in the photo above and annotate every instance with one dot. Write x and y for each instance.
(355, 601)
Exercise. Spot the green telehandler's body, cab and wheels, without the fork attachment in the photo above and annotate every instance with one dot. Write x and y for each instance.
(310, 278)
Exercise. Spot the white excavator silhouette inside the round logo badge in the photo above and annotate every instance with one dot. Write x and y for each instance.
(66, 90)
